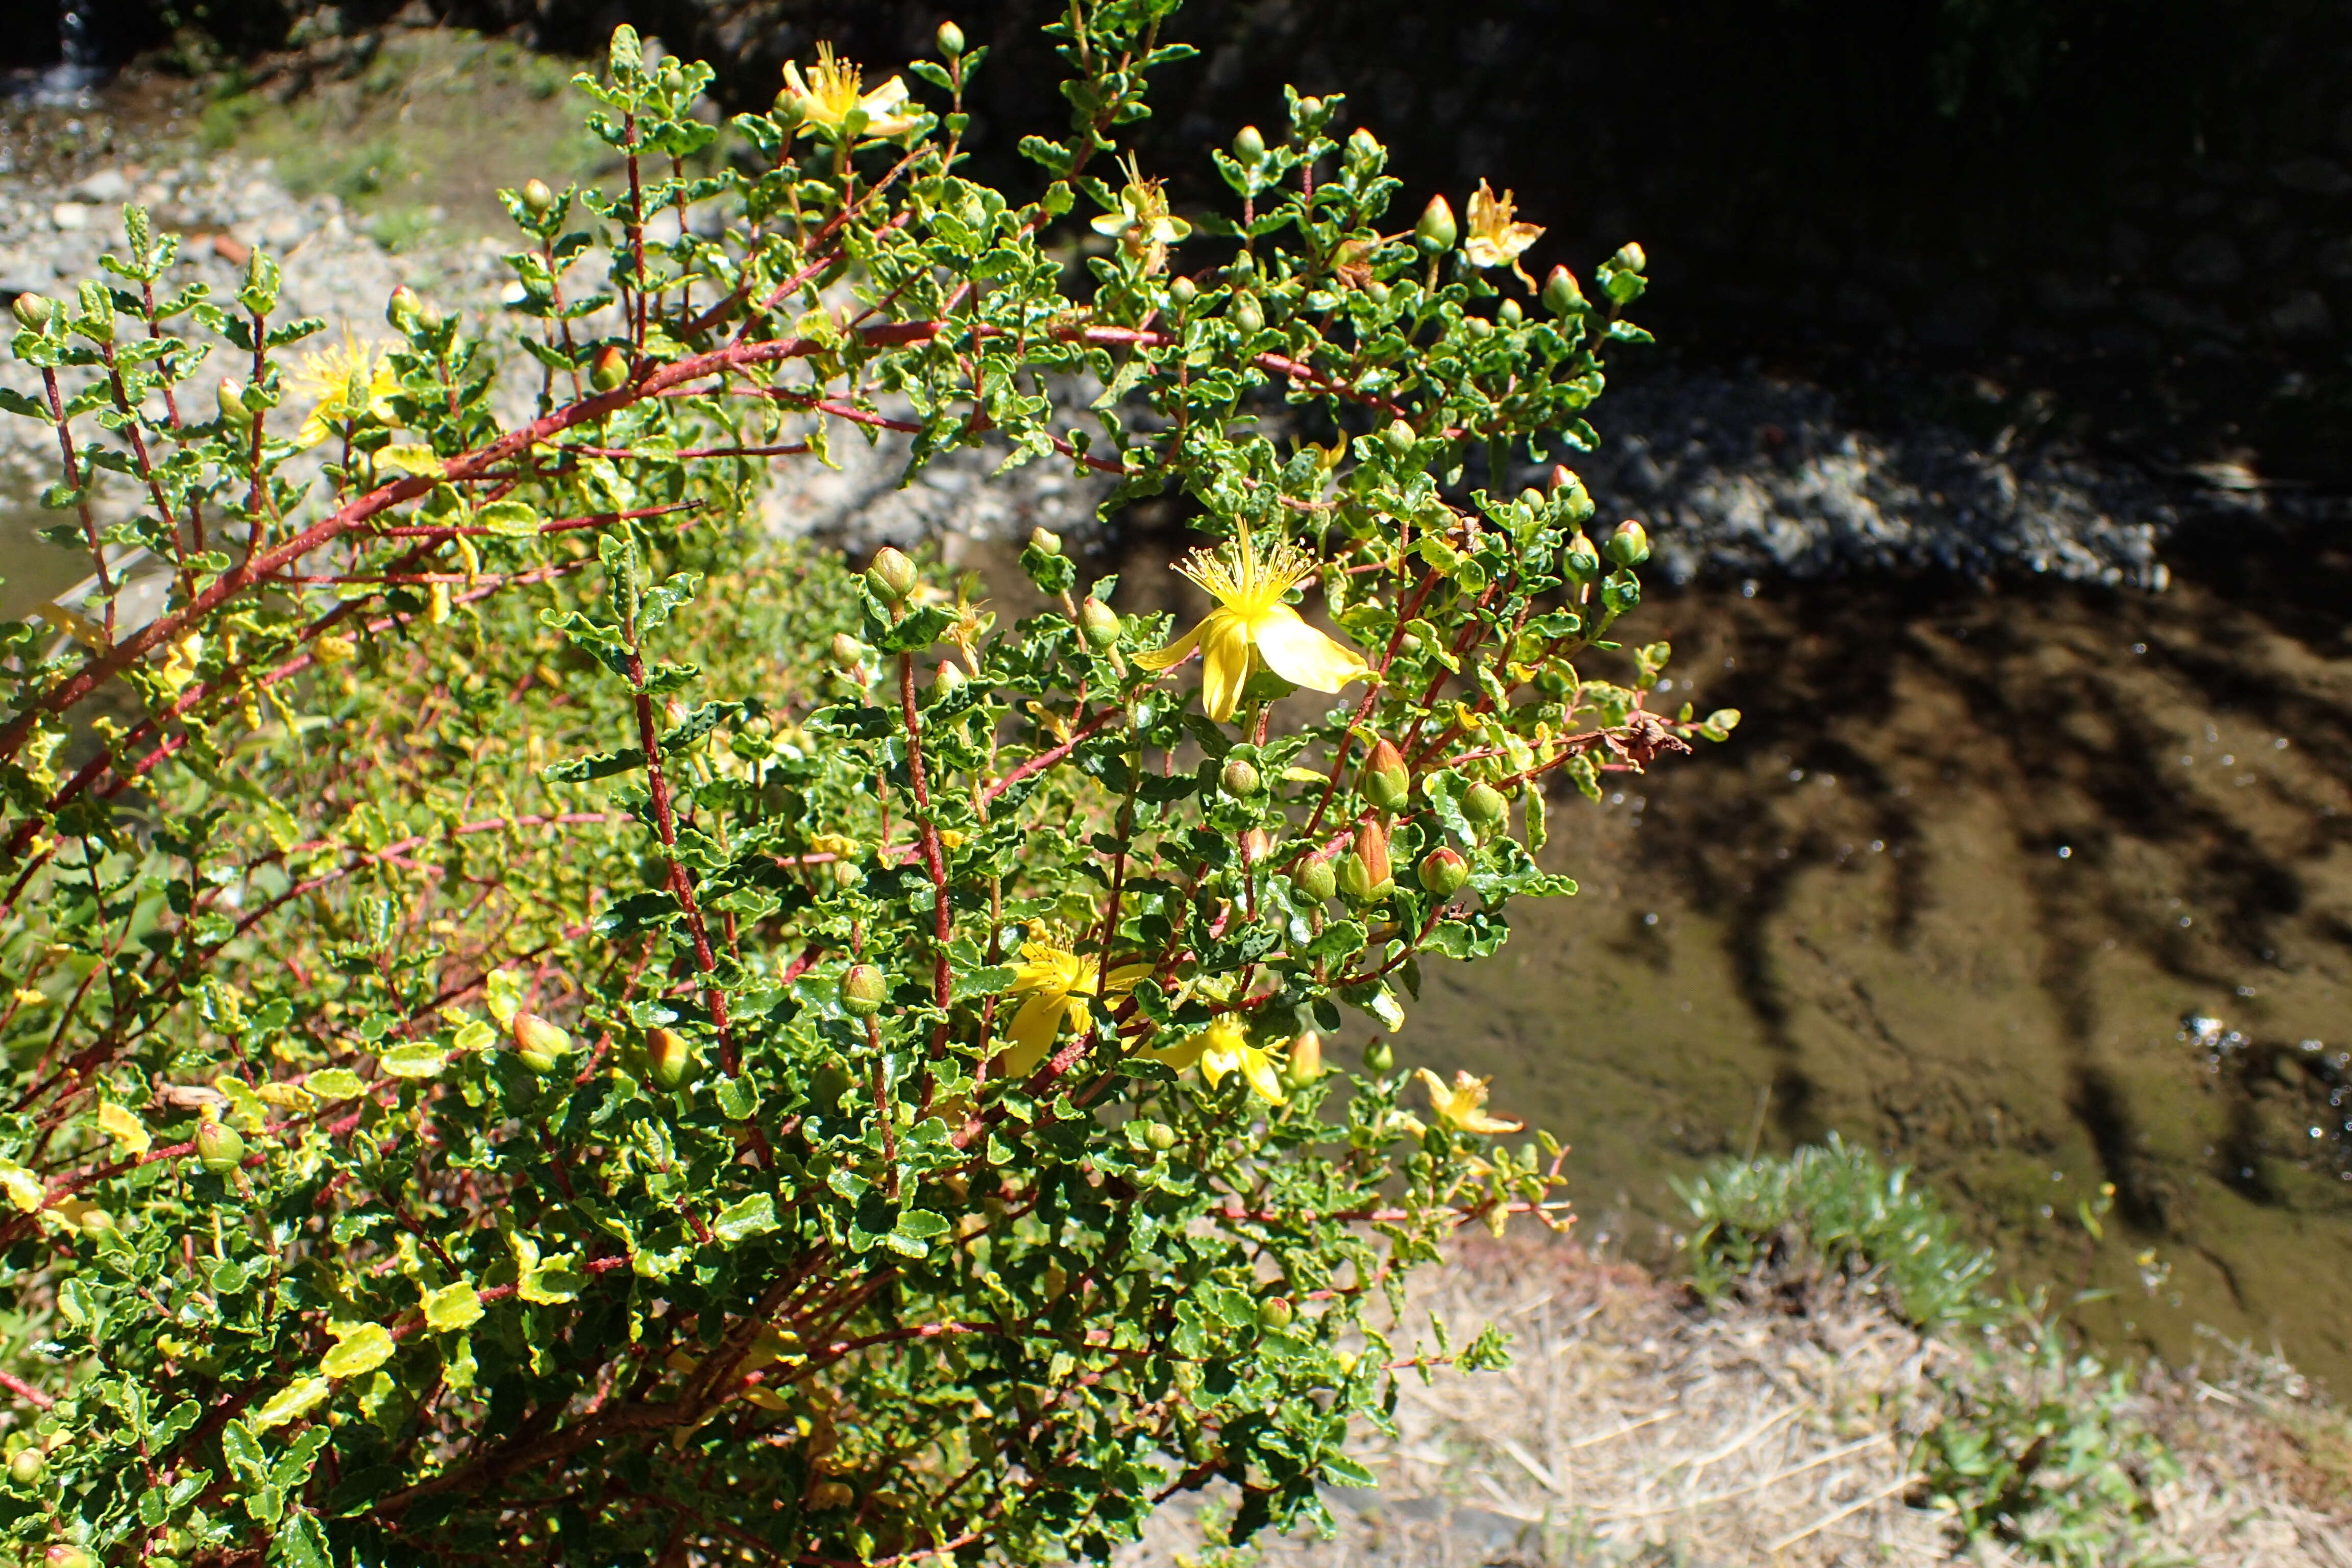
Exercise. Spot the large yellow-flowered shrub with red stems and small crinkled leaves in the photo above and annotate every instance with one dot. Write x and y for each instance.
(549, 1026)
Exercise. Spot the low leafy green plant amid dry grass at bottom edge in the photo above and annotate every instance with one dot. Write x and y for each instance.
(2040, 1452)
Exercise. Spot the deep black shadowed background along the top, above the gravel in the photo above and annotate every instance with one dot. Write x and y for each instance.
(2120, 222)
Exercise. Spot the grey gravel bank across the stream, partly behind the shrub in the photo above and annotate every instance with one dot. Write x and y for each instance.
(1735, 474)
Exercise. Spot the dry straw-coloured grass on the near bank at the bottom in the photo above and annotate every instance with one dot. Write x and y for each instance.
(1633, 1430)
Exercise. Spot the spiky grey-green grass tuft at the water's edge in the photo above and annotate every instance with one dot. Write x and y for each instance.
(1836, 1209)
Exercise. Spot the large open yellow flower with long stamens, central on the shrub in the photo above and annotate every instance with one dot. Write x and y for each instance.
(1255, 626)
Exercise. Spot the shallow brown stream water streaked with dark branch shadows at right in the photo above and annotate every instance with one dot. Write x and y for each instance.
(1953, 890)
